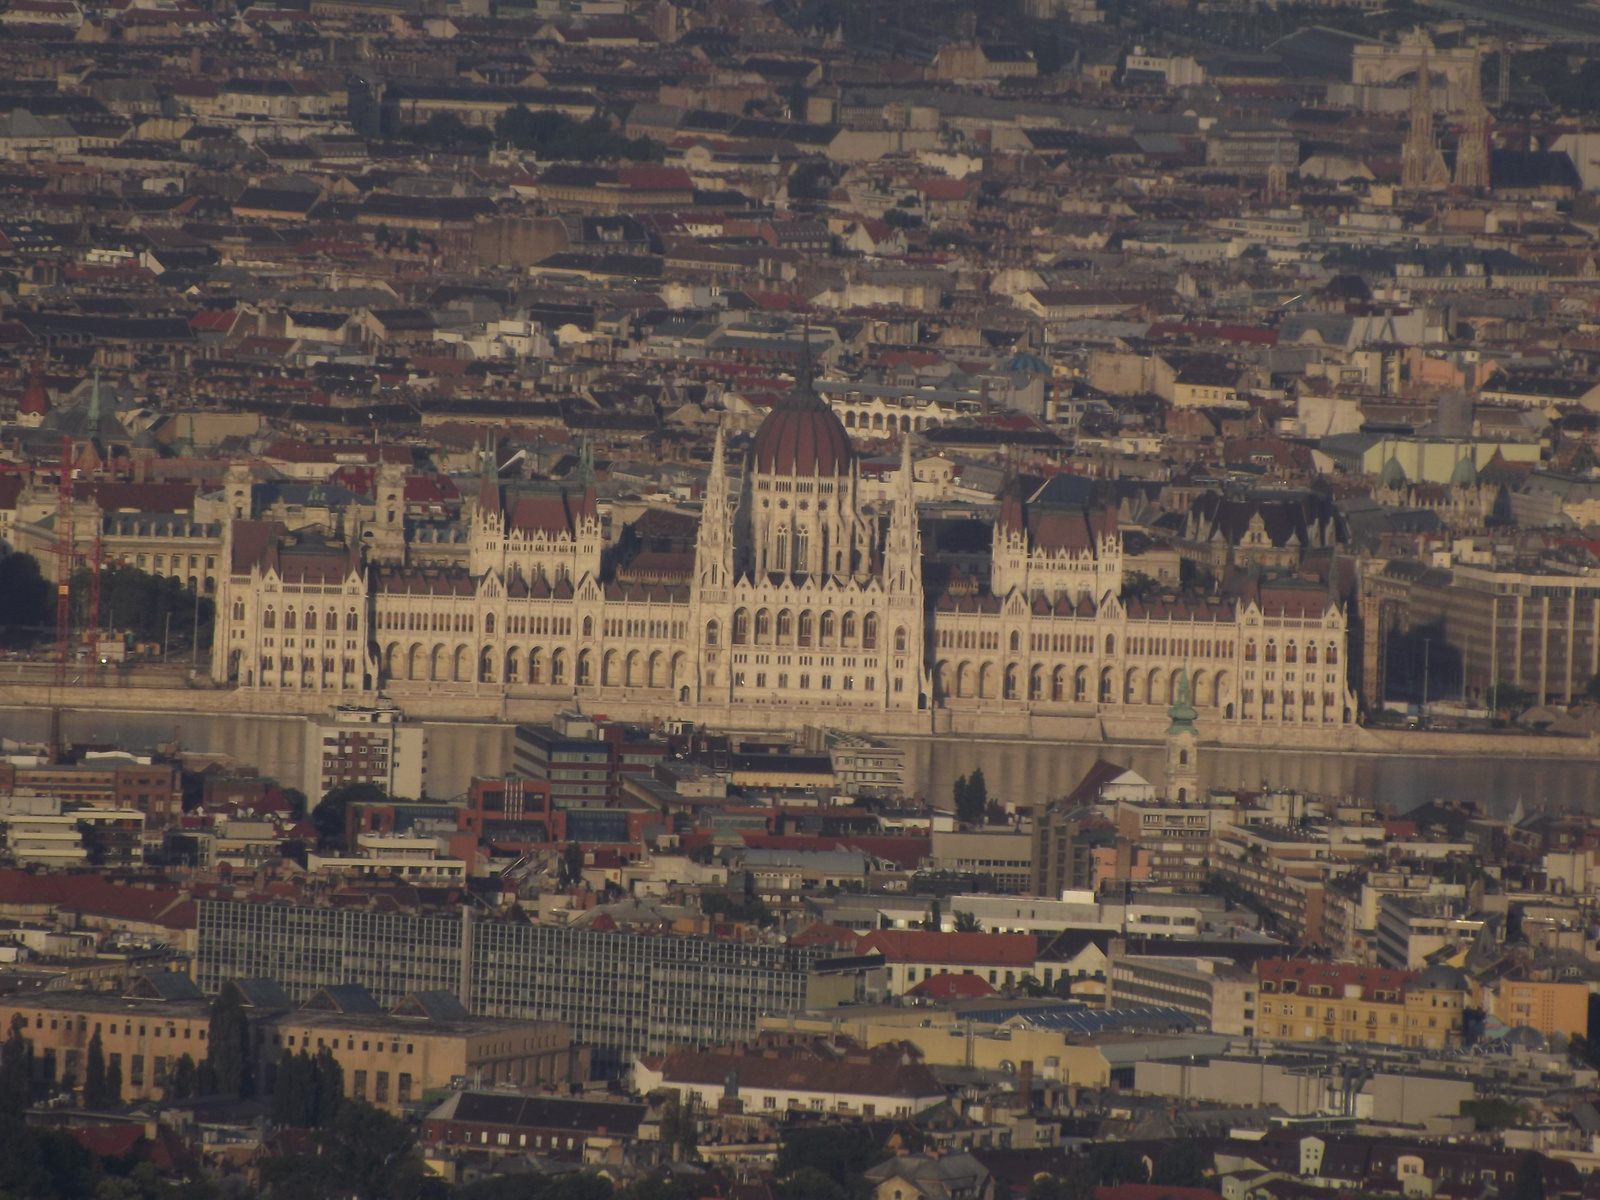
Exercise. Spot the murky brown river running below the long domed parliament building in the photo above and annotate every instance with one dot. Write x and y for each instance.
(1015, 770)
